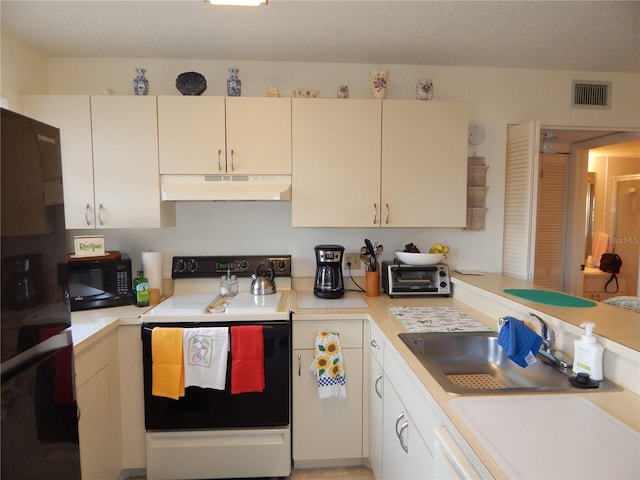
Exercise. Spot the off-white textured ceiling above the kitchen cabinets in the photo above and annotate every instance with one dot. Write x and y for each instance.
(565, 35)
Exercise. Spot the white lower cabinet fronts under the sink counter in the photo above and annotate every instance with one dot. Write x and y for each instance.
(411, 437)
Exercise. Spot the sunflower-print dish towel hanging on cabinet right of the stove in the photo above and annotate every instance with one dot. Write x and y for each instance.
(328, 366)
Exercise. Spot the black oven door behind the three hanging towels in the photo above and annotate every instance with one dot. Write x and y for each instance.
(204, 408)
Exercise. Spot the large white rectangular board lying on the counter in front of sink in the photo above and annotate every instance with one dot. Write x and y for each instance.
(584, 441)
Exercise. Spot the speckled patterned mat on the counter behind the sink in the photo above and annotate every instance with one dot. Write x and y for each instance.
(437, 319)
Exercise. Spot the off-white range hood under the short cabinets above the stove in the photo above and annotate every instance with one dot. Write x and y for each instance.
(225, 187)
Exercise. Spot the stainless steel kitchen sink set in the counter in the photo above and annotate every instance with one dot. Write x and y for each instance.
(474, 364)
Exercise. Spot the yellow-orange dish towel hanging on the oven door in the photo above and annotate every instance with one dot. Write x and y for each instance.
(167, 363)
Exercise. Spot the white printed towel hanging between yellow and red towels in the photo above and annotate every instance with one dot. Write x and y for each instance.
(205, 352)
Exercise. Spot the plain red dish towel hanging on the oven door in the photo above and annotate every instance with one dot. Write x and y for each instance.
(247, 359)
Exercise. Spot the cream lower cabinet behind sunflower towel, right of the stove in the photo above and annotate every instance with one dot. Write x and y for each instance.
(327, 432)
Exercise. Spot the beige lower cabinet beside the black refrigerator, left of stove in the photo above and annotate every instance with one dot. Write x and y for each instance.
(98, 396)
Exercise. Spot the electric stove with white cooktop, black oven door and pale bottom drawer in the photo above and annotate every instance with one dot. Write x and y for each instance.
(218, 432)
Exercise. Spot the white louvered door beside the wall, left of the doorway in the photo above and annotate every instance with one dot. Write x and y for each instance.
(519, 208)
